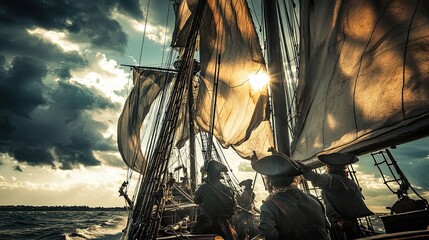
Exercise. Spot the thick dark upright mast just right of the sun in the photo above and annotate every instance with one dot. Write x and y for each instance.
(277, 77)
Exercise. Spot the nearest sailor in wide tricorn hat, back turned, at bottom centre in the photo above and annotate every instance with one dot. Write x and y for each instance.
(288, 213)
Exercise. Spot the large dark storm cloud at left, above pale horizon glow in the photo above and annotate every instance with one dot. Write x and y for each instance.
(60, 129)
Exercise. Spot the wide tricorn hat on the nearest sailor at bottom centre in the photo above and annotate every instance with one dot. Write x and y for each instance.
(277, 164)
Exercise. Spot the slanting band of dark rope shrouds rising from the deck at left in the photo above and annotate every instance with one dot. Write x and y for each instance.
(150, 202)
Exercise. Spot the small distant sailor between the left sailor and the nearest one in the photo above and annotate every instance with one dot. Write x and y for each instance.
(244, 218)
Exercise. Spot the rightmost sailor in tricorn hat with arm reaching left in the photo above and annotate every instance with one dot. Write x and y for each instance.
(342, 196)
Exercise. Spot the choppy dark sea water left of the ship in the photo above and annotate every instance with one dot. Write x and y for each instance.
(62, 224)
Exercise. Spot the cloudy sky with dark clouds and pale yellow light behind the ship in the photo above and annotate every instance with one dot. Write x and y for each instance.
(62, 90)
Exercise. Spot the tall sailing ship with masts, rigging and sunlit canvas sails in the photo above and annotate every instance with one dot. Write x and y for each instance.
(304, 78)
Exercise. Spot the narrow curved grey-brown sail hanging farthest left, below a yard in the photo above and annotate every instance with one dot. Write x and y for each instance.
(147, 86)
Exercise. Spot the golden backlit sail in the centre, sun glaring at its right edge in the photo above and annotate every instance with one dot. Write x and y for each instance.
(227, 35)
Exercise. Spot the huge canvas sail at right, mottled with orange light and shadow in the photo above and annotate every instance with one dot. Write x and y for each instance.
(364, 81)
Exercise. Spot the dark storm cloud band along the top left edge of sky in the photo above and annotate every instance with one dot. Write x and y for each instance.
(90, 19)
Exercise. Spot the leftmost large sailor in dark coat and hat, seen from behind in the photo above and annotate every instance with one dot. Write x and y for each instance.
(216, 202)
